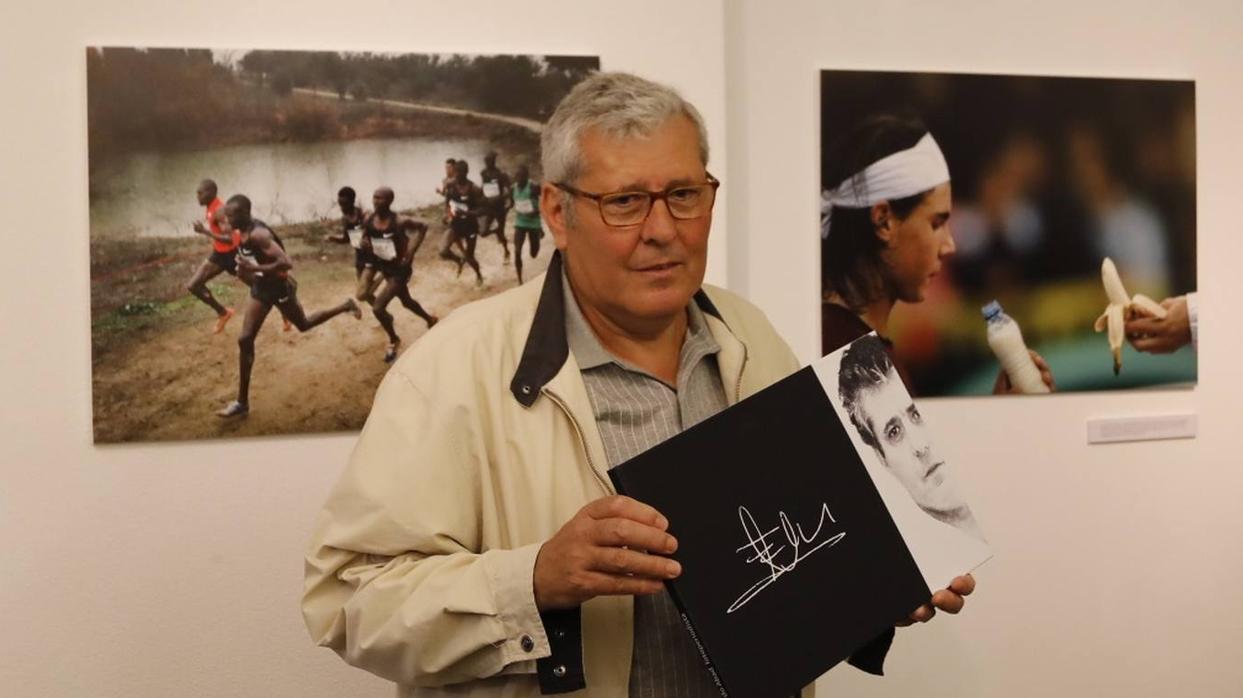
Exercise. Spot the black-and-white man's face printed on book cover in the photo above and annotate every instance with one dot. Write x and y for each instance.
(904, 445)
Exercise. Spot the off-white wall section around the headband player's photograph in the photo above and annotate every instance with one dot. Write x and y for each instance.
(1119, 569)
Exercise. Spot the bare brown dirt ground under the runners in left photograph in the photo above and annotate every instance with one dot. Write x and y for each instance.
(167, 383)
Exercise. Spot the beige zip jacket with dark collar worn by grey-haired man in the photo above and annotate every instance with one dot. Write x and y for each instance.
(480, 445)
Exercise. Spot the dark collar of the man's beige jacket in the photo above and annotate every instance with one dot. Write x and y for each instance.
(548, 347)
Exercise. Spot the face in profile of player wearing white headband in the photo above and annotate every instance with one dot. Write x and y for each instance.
(918, 245)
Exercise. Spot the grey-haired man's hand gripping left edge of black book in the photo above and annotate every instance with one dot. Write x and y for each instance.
(603, 551)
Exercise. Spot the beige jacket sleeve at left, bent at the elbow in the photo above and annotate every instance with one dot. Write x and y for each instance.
(396, 582)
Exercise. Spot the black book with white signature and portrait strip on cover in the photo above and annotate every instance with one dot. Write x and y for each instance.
(804, 532)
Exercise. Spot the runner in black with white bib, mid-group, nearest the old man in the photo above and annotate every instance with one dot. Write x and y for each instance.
(393, 254)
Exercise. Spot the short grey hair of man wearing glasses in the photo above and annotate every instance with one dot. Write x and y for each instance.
(618, 105)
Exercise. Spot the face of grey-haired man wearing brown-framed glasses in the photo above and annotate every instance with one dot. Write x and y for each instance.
(640, 274)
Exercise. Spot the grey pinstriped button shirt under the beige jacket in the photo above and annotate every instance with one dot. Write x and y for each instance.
(636, 412)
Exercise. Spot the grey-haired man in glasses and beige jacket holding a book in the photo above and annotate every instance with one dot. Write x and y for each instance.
(474, 546)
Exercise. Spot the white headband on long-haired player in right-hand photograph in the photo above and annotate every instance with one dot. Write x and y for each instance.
(899, 176)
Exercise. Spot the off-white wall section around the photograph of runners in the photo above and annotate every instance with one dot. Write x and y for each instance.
(177, 569)
